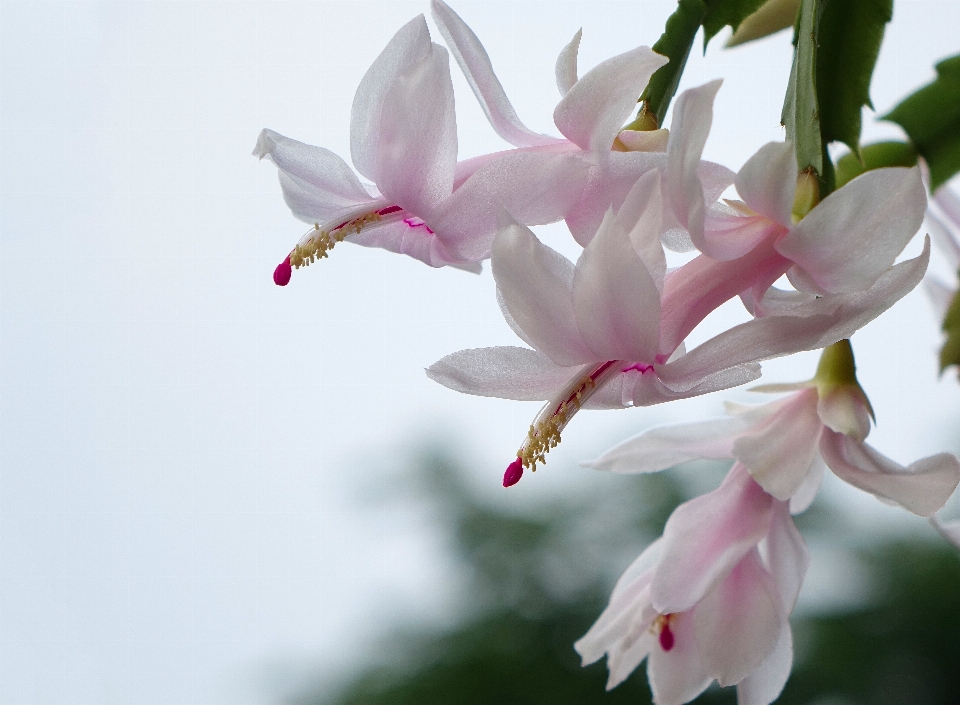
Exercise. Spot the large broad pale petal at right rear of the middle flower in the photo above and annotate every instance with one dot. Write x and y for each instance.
(853, 236)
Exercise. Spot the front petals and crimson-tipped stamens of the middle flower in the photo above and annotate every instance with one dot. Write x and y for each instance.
(597, 328)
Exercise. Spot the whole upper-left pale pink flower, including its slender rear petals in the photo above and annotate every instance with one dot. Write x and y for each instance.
(426, 204)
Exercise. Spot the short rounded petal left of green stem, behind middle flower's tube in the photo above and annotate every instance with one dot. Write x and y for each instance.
(768, 181)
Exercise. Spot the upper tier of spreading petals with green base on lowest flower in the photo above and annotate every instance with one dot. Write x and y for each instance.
(785, 444)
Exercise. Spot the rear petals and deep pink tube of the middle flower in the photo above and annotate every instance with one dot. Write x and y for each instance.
(842, 245)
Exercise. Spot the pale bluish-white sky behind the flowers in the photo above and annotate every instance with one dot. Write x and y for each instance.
(185, 445)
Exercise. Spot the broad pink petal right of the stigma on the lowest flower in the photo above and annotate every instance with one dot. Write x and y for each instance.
(738, 623)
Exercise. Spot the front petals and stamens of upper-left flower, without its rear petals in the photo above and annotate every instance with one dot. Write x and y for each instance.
(404, 139)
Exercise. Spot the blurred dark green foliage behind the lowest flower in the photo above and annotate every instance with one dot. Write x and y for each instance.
(540, 578)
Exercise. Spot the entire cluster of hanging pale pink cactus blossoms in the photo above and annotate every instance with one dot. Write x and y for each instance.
(711, 599)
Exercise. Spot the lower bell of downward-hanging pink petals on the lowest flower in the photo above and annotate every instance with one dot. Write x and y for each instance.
(708, 601)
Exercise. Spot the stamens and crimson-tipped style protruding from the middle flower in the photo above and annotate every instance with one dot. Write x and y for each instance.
(544, 432)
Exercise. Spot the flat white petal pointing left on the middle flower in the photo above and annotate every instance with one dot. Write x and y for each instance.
(503, 372)
